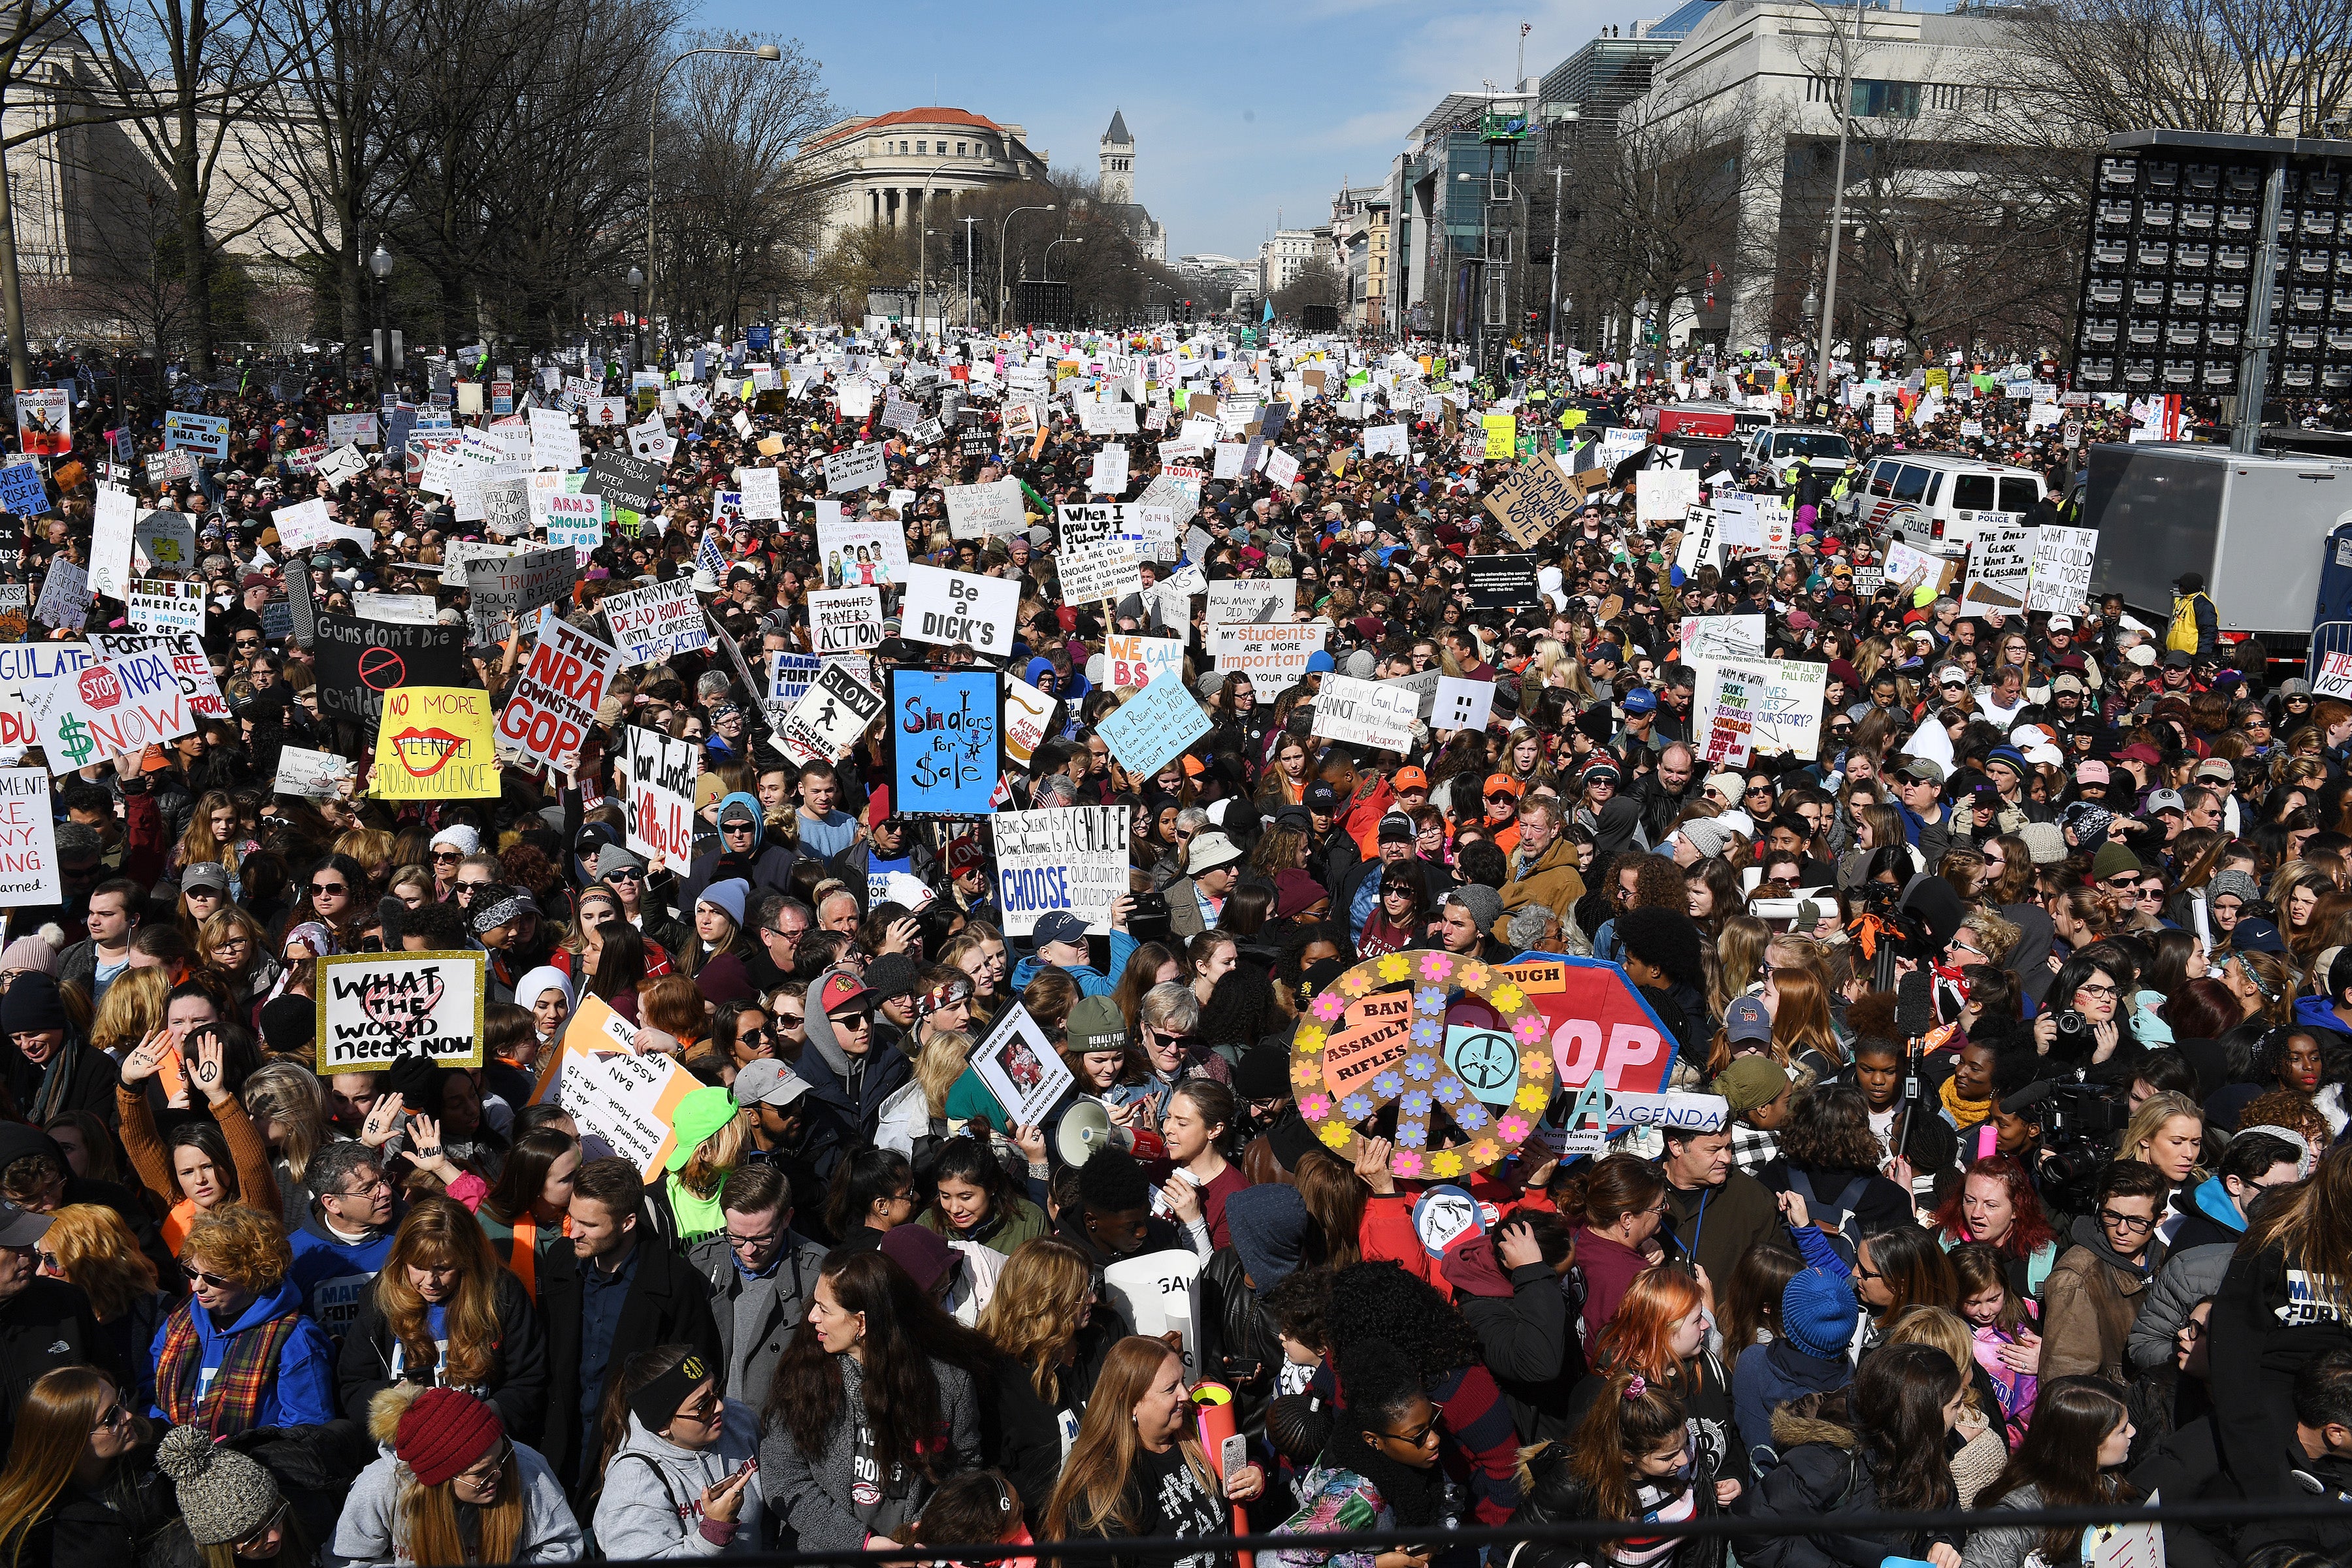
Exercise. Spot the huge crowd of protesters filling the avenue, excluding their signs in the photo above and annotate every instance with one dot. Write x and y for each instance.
(2029, 1003)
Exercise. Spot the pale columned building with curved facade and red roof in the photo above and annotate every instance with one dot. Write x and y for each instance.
(883, 168)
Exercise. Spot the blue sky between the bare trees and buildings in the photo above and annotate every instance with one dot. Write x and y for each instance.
(1241, 112)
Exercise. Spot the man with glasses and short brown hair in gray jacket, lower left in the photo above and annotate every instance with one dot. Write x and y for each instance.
(761, 1271)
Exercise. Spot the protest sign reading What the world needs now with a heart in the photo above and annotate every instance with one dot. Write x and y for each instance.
(377, 1007)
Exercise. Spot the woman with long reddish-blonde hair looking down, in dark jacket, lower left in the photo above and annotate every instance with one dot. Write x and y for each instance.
(446, 1313)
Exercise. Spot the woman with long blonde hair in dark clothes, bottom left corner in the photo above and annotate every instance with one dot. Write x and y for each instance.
(74, 1489)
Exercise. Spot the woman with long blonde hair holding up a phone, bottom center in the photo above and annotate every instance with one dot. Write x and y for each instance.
(1137, 1468)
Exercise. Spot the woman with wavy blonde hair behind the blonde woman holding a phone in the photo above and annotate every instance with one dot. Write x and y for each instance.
(1038, 1320)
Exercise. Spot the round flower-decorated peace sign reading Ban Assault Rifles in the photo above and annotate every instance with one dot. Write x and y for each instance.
(1450, 1043)
